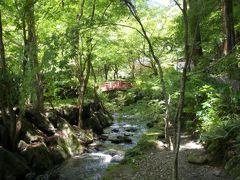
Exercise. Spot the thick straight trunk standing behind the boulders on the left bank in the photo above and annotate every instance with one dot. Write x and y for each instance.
(38, 102)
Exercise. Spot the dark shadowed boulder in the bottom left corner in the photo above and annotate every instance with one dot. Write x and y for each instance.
(11, 166)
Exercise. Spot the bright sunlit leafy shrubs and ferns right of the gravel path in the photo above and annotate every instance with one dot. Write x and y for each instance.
(218, 122)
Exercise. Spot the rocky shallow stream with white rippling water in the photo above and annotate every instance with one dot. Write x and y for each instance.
(110, 148)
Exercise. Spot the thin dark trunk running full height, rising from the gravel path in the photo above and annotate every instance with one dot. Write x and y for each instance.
(182, 90)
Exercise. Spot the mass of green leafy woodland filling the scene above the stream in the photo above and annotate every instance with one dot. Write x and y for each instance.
(53, 51)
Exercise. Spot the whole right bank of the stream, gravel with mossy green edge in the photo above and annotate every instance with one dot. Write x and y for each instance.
(151, 160)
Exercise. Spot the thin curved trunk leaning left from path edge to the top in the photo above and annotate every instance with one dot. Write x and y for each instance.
(133, 11)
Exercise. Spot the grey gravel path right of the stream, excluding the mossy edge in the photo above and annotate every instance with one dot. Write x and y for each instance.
(158, 166)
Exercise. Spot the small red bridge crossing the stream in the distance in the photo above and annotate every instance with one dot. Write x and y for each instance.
(115, 86)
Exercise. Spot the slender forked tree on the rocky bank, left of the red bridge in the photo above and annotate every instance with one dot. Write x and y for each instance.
(83, 56)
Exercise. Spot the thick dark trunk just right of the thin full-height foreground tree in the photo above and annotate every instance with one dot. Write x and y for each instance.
(194, 22)
